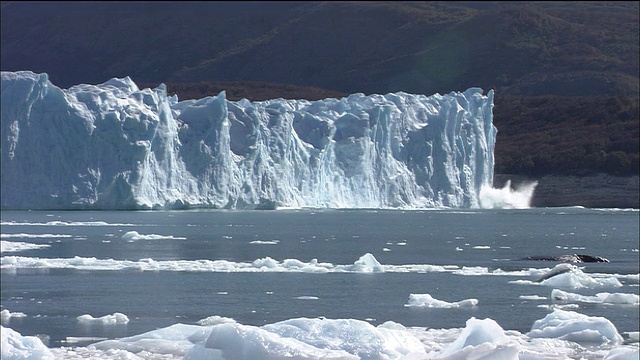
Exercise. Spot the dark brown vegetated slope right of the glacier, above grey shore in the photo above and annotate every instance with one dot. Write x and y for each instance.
(541, 135)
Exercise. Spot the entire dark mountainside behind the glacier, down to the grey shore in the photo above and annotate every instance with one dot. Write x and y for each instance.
(565, 73)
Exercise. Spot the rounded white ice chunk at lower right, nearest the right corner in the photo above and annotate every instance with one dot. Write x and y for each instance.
(572, 326)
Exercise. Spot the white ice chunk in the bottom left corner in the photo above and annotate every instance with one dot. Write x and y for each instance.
(15, 346)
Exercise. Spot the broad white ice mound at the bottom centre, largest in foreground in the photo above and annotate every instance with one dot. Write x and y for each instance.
(304, 338)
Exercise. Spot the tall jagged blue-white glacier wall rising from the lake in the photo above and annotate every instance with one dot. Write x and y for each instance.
(115, 146)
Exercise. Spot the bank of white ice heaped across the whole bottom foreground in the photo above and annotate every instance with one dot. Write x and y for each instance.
(560, 335)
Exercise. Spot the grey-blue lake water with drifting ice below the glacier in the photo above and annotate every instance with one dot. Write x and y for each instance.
(161, 268)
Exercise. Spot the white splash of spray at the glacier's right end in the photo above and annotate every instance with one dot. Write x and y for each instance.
(507, 197)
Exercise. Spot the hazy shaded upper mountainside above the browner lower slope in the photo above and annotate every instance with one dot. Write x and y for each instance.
(516, 48)
